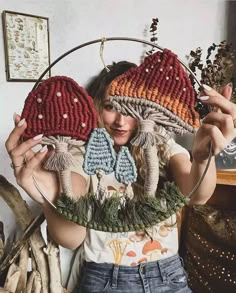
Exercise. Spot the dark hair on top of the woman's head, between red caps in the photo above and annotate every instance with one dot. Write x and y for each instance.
(98, 85)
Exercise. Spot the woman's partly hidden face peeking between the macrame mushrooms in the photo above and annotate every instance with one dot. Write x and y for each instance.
(121, 128)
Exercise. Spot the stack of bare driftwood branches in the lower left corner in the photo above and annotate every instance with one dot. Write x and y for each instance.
(31, 265)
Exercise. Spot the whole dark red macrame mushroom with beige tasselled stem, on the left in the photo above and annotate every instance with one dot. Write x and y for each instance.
(64, 112)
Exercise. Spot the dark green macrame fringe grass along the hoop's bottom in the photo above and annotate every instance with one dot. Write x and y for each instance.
(122, 214)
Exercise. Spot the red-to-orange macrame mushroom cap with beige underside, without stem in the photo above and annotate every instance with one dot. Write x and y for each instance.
(161, 85)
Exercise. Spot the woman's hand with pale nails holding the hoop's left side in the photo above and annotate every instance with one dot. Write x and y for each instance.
(28, 164)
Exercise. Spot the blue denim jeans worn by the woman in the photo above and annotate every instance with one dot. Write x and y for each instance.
(166, 275)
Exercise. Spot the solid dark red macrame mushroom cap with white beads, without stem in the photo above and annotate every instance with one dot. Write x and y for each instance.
(59, 106)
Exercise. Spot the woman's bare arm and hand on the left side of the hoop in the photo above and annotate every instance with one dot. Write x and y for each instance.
(64, 232)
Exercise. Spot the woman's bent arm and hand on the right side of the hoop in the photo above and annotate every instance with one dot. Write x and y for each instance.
(218, 128)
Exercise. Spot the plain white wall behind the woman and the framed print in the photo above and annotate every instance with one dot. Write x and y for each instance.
(184, 25)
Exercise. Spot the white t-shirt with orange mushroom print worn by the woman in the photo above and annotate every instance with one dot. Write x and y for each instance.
(130, 248)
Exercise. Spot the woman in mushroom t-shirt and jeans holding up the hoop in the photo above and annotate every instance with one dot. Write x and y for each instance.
(132, 261)
